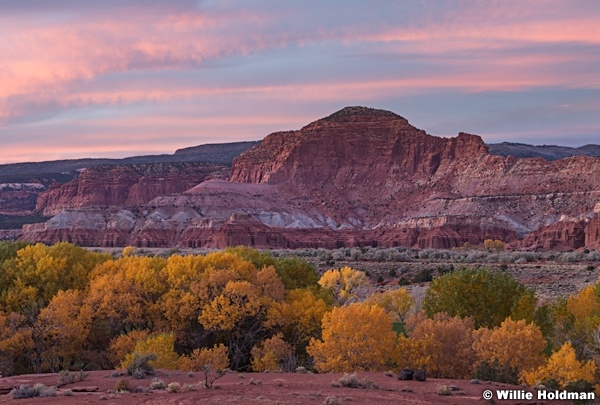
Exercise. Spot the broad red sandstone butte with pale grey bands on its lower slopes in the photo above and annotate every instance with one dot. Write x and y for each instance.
(358, 177)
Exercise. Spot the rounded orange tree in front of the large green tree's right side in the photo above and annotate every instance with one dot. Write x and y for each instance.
(515, 344)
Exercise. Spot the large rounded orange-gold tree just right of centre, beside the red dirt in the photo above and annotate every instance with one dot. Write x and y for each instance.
(357, 337)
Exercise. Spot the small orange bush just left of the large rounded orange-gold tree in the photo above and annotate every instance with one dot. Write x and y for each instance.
(272, 354)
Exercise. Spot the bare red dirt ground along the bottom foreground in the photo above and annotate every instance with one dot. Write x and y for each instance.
(265, 388)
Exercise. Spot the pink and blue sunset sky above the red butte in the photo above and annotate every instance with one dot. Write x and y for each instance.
(117, 78)
